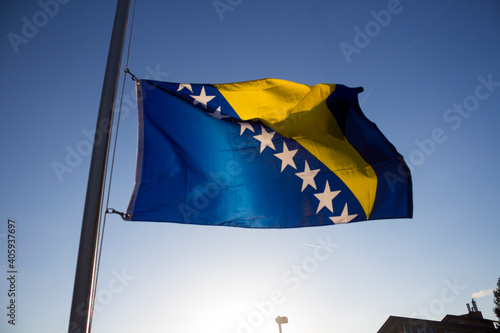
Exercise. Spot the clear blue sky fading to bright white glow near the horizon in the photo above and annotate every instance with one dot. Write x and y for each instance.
(425, 70)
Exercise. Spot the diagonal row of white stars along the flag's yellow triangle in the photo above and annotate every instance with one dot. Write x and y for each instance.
(286, 157)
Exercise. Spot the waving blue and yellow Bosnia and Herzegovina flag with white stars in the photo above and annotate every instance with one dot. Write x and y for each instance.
(263, 154)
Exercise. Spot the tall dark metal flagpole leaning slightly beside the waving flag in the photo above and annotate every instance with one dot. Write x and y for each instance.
(81, 307)
